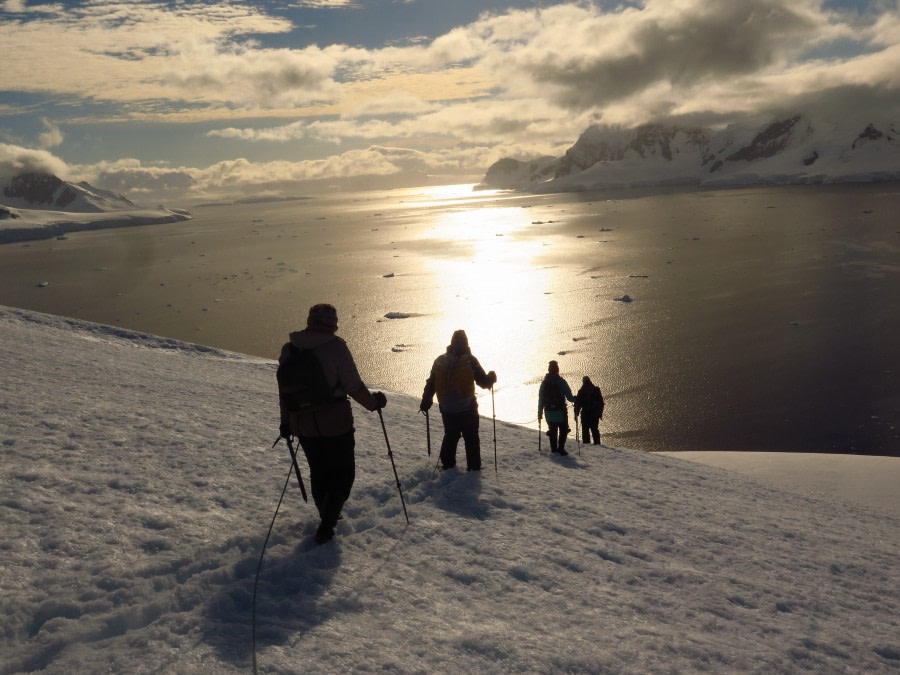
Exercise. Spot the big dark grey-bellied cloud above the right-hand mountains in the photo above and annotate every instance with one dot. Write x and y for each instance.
(583, 58)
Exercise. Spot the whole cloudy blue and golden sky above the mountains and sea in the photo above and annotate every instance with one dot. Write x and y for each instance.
(171, 100)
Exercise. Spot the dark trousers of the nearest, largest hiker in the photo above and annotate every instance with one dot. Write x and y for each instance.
(332, 469)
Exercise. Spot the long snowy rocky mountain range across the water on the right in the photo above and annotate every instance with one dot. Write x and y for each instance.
(793, 150)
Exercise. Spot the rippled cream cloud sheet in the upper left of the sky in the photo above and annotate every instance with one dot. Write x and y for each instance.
(129, 51)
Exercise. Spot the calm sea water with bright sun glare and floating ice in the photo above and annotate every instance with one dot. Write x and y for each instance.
(762, 318)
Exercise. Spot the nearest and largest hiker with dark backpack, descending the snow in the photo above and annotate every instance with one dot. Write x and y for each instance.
(323, 420)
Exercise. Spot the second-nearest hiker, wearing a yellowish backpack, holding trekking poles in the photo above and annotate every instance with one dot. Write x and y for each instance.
(453, 378)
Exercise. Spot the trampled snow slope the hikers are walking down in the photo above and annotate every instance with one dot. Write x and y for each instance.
(140, 482)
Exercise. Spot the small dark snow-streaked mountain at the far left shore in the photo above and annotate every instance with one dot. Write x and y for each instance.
(48, 192)
